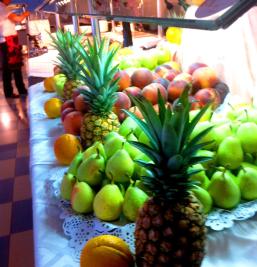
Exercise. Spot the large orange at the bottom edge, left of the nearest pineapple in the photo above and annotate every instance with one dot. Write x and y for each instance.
(106, 250)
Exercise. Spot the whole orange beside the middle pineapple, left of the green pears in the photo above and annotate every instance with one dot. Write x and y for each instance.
(66, 147)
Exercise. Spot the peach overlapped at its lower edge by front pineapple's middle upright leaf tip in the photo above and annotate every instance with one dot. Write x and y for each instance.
(150, 92)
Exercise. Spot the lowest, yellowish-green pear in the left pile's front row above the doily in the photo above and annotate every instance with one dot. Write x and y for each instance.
(108, 203)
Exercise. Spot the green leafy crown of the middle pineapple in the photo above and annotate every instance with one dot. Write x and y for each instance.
(97, 72)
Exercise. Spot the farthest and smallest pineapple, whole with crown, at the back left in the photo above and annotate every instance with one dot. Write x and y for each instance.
(67, 60)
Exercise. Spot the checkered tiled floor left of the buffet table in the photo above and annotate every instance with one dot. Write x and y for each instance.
(16, 226)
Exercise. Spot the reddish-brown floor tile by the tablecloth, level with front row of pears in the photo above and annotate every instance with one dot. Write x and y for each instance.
(22, 188)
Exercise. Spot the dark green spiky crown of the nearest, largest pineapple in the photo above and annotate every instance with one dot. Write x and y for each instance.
(171, 149)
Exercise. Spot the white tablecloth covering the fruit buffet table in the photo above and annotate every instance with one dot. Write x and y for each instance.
(235, 247)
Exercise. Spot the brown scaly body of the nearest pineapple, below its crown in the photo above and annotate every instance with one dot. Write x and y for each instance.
(170, 235)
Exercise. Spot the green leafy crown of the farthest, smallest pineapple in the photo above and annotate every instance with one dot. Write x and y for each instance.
(67, 54)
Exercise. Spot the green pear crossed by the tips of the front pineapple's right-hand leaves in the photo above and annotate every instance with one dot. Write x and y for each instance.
(201, 126)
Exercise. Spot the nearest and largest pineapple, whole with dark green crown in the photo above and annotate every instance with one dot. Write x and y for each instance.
(170, 228)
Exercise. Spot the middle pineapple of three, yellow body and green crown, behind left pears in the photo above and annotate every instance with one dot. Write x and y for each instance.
(97, 74)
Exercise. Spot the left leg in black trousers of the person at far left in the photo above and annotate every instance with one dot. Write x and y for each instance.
(6, 72)
